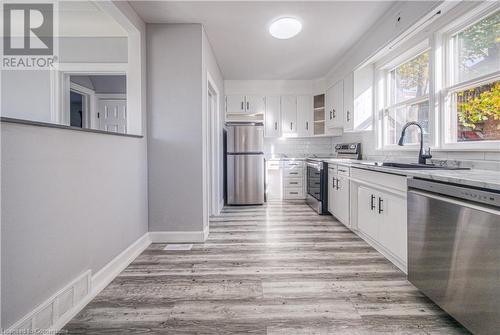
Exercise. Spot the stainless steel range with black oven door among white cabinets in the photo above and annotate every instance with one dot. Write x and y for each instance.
(317, 175)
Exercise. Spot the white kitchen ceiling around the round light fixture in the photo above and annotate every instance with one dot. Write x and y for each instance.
(238, 33)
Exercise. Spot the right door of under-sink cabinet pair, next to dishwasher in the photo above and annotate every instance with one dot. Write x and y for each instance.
(392, 211)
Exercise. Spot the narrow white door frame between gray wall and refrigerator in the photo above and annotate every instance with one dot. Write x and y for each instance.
(214, 144)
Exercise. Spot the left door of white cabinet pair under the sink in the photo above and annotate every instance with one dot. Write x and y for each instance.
(367, 212)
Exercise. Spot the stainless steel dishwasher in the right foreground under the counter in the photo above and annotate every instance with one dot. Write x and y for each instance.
(454, 250)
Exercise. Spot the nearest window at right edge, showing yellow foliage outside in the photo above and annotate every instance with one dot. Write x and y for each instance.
(473, 91)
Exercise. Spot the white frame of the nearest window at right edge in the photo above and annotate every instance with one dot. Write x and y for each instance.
(447, 84)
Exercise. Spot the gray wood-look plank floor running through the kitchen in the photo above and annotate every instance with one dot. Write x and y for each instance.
(276, 269)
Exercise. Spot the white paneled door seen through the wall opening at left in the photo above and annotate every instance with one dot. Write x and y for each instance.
(112, 115)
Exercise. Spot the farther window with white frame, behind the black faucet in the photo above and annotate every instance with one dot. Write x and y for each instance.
(408, 100)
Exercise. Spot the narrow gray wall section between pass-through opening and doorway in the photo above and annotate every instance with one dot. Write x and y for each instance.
(175, 165)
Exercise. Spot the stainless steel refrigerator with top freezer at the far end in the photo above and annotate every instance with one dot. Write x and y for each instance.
(245, 163)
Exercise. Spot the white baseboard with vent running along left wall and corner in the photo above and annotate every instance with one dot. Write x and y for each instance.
(64, 305)
